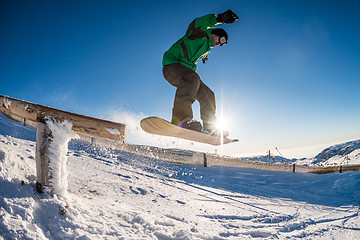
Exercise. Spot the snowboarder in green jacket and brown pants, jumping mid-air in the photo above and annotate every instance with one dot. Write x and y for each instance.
(179, 69)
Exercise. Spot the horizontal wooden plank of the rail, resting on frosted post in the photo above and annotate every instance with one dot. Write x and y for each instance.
(19, 109)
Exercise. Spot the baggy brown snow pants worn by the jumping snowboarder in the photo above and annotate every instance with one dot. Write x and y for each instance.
(189, 88)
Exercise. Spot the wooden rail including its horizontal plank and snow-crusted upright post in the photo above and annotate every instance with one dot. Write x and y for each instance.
(38, 116)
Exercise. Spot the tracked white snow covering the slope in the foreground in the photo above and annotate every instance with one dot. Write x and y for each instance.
(113, 194)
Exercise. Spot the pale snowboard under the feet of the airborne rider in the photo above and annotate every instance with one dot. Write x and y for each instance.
(159, 126)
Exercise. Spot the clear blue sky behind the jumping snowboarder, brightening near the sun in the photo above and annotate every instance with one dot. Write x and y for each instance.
(289, 77)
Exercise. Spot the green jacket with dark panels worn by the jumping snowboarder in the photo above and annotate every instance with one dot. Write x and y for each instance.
(195, 45)
